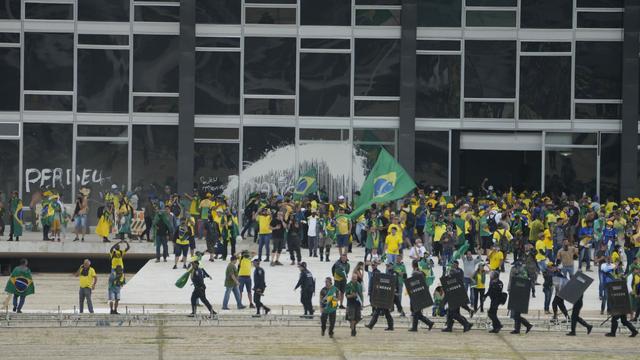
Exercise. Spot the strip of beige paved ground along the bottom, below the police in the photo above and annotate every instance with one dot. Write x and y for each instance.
(166, 342)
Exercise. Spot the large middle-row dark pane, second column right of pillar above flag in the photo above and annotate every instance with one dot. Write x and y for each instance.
(490, 69)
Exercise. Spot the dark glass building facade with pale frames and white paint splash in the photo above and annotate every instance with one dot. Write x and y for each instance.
(91, 93)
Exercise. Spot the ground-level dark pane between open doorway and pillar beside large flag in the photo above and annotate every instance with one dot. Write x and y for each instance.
(432, 159)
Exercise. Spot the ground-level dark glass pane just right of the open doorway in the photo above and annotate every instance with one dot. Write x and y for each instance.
(572, 171)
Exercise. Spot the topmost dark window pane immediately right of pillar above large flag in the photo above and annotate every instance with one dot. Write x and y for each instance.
(439, 13)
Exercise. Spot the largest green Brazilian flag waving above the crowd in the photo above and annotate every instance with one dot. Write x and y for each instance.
(387, 181)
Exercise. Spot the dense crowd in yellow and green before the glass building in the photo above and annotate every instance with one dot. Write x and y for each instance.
(543, 236)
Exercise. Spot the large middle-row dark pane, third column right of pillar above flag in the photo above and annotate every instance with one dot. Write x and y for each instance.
(545, 87)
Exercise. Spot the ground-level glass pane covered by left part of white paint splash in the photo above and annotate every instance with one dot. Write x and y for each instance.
(268, 162)
